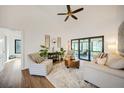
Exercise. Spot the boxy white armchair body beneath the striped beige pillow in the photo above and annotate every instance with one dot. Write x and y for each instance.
(41, 69)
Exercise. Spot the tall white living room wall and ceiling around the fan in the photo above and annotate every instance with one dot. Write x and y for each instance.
(36, 21)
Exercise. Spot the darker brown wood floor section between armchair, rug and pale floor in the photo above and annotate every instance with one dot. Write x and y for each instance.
(34, 81)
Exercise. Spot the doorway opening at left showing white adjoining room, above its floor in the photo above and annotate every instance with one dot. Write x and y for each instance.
(10, 46)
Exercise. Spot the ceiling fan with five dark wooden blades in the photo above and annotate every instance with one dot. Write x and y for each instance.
(70, 13)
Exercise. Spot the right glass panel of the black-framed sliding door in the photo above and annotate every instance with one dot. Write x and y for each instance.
(96, 47)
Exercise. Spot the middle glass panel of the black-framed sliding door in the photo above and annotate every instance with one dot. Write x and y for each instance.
(84, 49)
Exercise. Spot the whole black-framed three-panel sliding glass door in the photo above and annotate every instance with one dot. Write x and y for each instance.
(88, 48)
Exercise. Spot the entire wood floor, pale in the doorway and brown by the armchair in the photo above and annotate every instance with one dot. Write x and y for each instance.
(13, 77)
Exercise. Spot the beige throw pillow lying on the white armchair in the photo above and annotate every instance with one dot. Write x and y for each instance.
(36, 57)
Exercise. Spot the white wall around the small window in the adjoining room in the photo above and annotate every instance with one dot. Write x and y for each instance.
(11, 36)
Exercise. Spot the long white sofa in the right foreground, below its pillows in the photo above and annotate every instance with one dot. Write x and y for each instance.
(103, 76)
